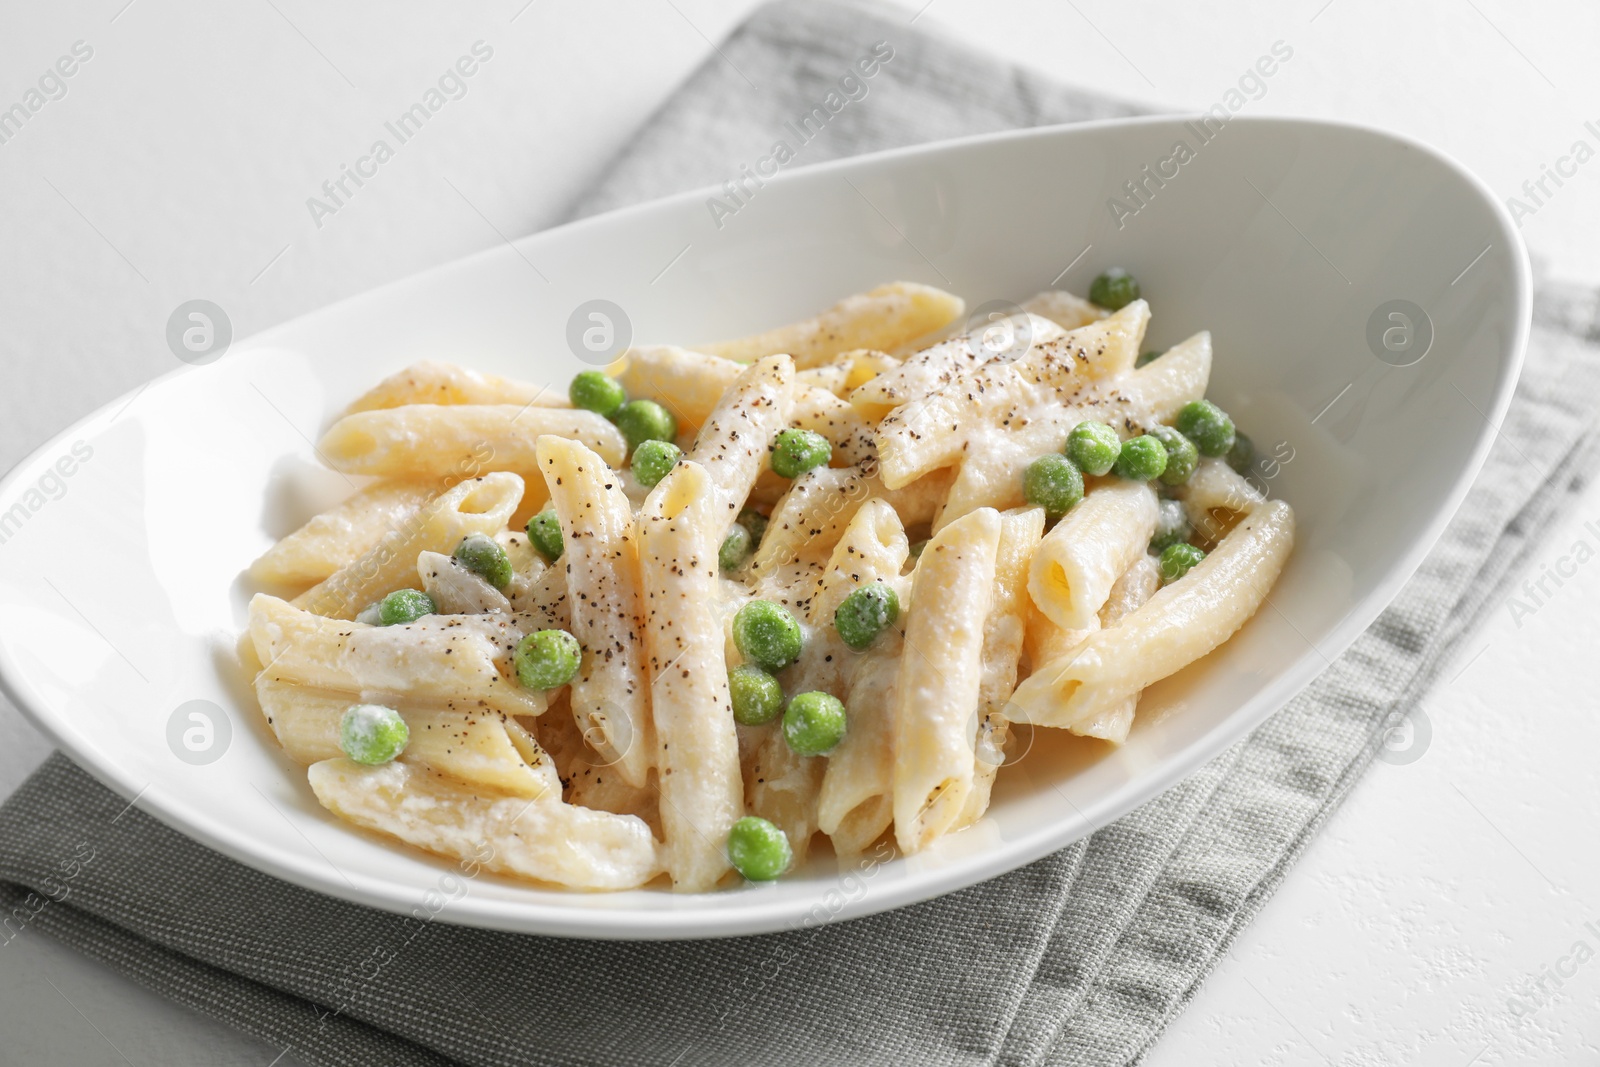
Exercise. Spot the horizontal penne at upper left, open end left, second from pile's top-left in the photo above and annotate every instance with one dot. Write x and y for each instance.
(438, 441)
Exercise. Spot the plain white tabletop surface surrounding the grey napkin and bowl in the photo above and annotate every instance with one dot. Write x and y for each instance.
(178, 166)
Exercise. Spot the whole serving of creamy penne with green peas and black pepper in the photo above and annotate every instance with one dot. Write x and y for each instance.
(676, 621)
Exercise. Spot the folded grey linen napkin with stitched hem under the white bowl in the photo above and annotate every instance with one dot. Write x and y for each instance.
(1078, 959)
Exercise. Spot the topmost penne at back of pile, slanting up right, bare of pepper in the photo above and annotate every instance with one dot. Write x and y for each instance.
(884, 319)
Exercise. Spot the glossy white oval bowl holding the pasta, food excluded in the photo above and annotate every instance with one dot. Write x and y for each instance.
(121, 591)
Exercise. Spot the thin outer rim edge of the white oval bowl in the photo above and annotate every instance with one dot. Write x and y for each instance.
(754, 916)
